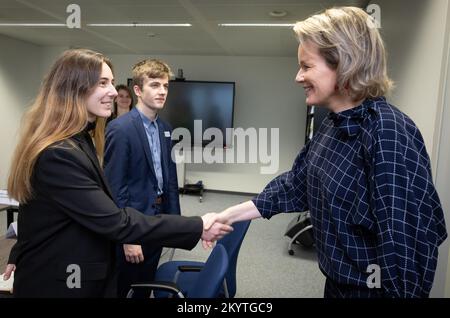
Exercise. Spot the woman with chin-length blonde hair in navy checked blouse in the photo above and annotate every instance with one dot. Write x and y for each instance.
(365, 177)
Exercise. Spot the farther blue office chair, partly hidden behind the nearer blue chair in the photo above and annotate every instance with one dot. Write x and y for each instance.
(232, 242)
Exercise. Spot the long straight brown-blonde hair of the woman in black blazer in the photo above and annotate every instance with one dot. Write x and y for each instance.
(58, 112)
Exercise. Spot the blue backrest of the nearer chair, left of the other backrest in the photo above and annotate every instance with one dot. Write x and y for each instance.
(210, 278)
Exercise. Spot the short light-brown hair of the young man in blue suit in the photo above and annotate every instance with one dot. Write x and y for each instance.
(152, 68)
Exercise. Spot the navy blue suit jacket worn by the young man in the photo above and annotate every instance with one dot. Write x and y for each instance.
(129, 168)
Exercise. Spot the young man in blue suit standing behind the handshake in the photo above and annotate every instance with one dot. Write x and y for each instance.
(139, 167)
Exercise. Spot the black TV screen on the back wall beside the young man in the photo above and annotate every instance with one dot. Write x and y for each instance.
(210, 102)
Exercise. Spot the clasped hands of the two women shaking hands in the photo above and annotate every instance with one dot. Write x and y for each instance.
(215, 226)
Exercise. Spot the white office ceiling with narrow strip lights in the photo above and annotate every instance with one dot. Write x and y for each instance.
(205, 37)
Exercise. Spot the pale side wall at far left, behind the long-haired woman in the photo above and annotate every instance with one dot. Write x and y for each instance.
(20, 77)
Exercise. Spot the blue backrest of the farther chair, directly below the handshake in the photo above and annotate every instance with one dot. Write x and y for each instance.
(232, 243)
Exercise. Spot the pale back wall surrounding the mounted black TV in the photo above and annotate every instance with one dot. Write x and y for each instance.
(266, 96)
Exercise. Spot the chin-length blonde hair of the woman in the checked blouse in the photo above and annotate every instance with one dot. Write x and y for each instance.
(350, 44)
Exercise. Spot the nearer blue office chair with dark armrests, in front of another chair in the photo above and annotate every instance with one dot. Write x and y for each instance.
(207, 283)
